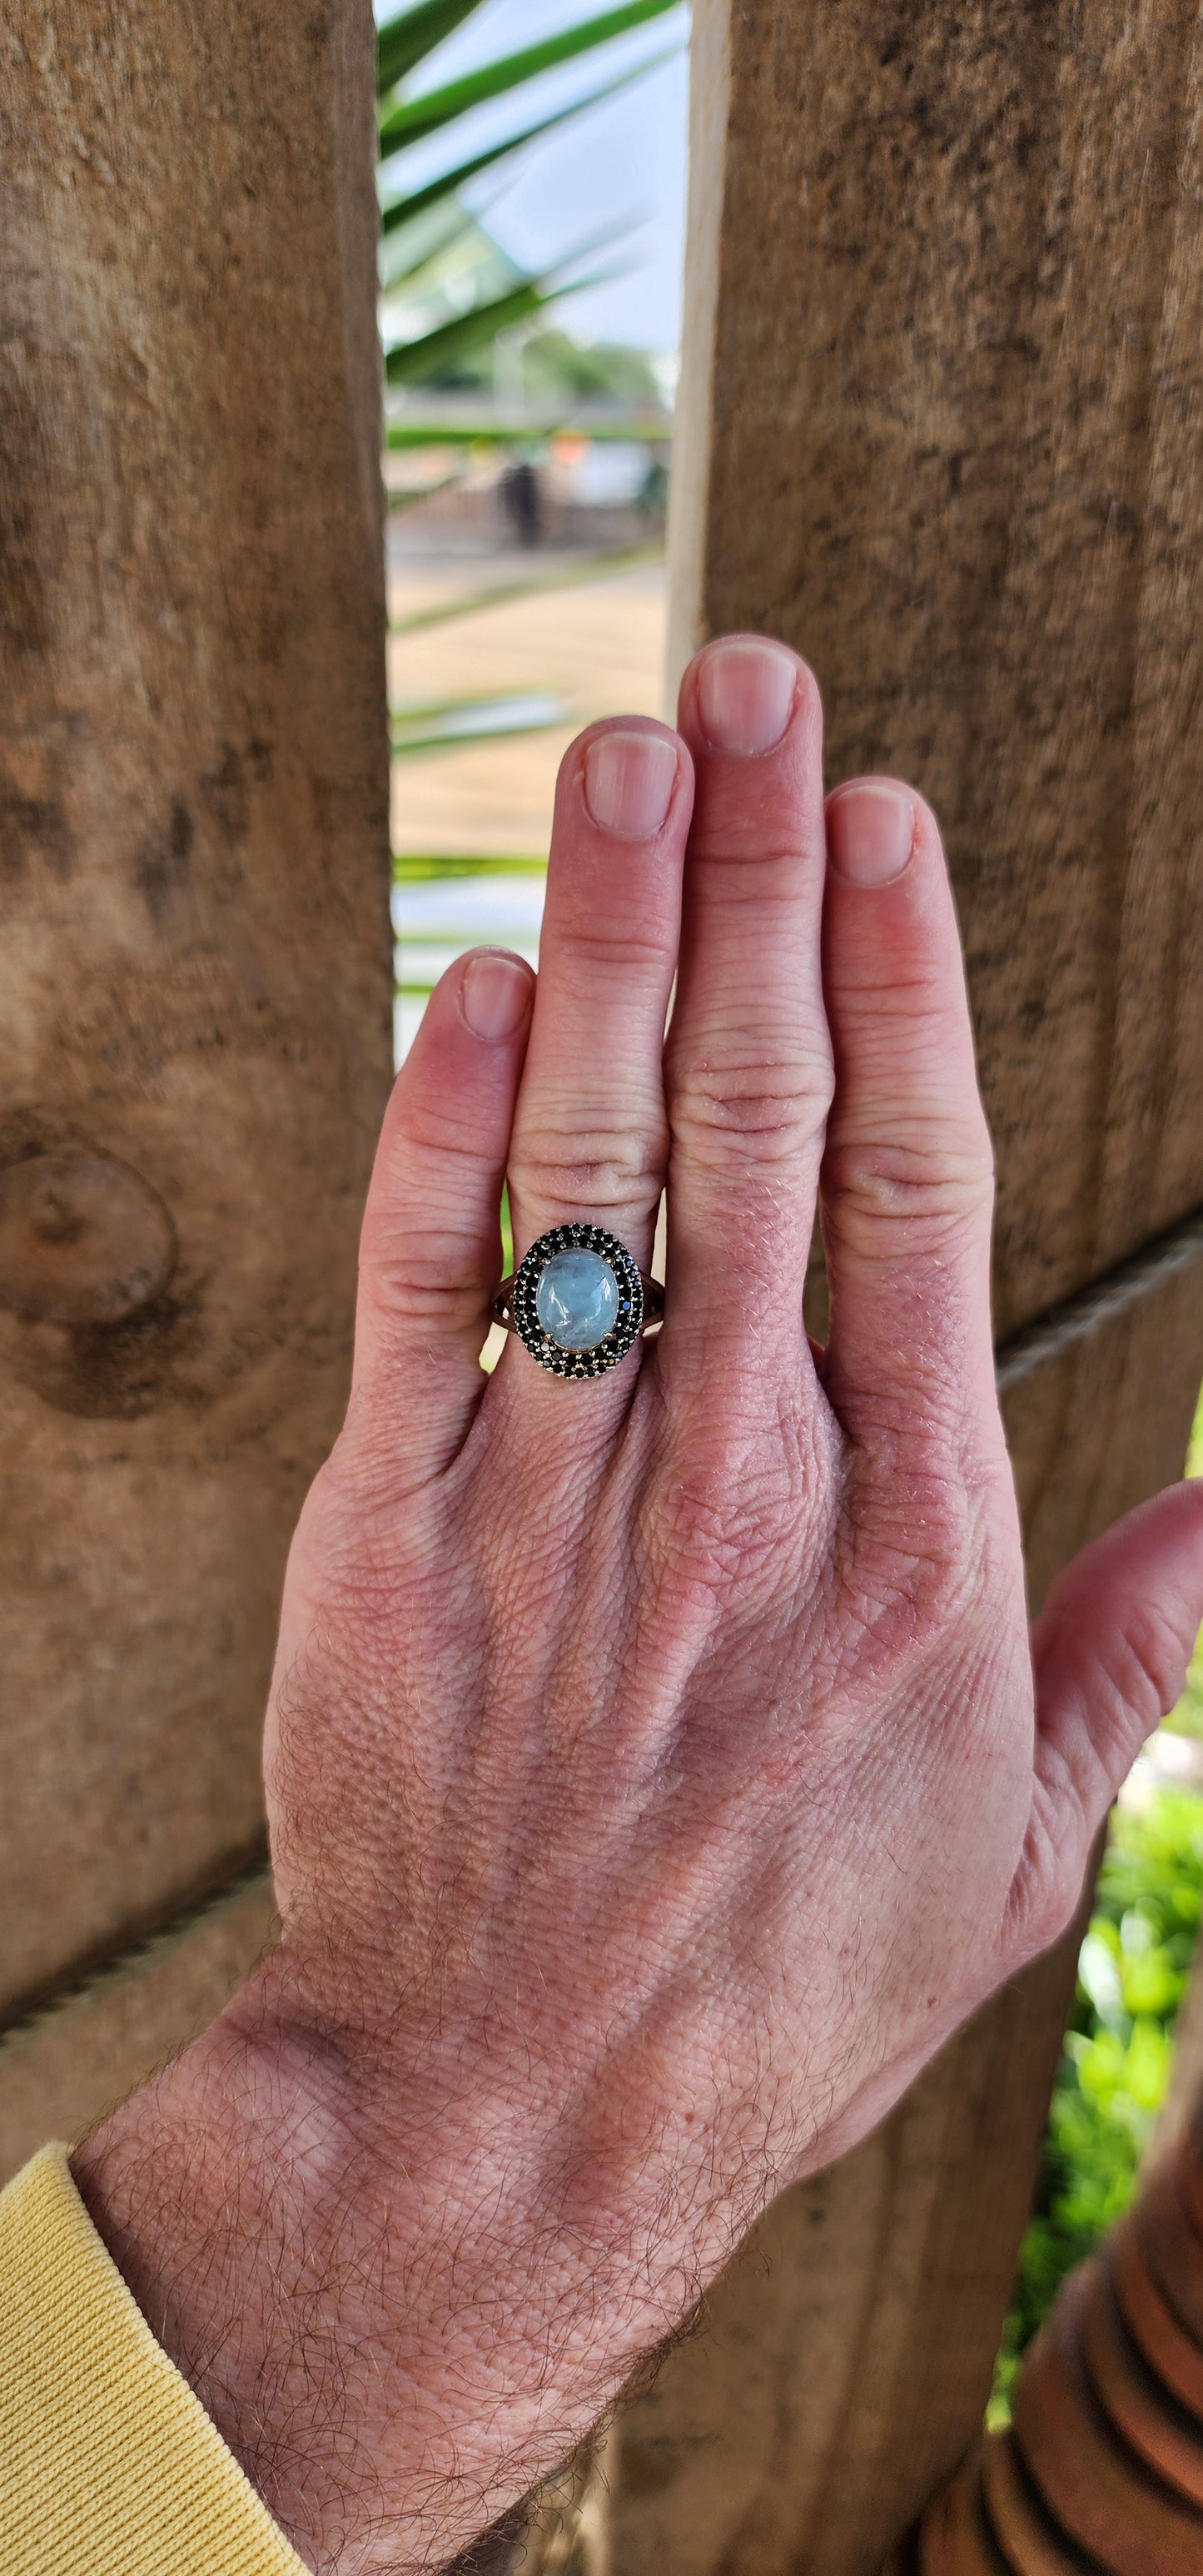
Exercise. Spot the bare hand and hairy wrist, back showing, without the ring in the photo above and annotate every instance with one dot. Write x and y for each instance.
(656, 1763)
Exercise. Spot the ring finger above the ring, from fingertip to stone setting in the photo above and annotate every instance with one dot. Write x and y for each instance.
(591, 1114)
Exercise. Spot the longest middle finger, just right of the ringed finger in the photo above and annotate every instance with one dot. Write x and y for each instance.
(748, 1057)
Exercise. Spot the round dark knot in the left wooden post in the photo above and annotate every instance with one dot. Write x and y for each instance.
(84, 1240)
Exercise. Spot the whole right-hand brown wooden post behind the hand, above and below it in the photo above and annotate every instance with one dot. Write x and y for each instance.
(942, 429)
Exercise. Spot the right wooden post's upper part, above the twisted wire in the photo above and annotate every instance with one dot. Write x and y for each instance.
(954, 375)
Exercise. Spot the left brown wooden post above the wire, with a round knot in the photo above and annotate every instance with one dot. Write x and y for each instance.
(194, 972)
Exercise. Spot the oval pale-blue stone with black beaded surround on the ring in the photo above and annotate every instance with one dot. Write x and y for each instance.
(578, 1302)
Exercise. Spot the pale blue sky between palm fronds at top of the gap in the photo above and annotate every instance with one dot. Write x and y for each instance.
(617, 166)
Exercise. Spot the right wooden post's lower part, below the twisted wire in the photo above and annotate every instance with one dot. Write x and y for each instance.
(846, 2356)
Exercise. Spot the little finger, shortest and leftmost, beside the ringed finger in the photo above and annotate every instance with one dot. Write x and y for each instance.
(431, 1243)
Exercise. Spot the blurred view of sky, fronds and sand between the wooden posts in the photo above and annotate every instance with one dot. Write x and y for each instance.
(535, 210)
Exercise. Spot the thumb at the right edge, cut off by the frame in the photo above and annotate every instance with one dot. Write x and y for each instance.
(1109, 1650)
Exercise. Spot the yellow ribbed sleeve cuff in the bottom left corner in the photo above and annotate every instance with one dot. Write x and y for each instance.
(109, 2467)
